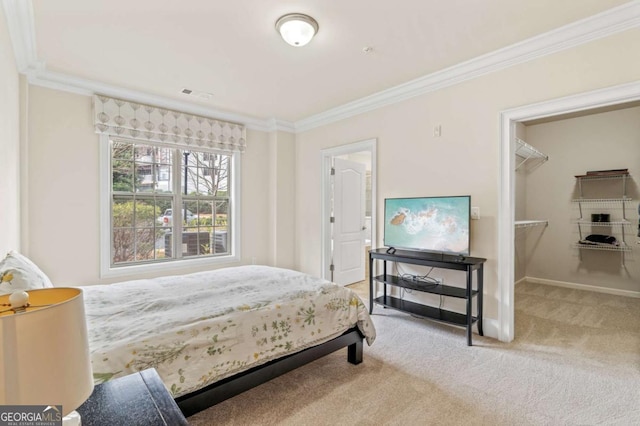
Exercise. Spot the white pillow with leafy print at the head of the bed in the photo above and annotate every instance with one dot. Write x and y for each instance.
(17, 272)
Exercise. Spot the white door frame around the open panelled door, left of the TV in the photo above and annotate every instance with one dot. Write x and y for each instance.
(326, 161)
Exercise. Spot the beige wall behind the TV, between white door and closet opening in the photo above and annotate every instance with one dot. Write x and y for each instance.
(465, 159)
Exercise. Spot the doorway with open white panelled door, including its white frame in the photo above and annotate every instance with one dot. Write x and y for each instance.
(344, 253)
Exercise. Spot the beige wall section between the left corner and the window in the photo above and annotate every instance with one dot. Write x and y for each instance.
(61, 187)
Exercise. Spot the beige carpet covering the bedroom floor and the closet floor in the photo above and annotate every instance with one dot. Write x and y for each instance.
(575, 361)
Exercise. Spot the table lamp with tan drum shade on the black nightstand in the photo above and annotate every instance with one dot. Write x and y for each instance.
(44, 357)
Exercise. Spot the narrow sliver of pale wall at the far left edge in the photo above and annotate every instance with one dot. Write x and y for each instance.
(9, 144)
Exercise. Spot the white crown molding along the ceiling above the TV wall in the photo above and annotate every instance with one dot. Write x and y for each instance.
(618, 19)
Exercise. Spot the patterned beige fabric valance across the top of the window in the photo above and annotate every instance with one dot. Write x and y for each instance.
(130, 119)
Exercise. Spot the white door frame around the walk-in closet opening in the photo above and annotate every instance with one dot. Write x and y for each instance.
(607, 97)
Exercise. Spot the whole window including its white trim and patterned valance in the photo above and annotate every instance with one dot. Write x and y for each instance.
(169, 187)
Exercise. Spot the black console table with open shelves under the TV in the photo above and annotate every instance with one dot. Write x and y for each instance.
(459, 263)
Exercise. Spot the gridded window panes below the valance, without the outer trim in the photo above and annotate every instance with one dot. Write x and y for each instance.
(168, 204)
